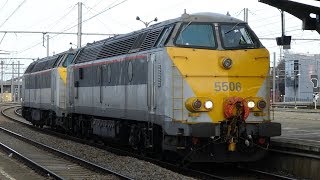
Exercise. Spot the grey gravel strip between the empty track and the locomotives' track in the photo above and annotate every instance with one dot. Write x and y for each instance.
(129, 166)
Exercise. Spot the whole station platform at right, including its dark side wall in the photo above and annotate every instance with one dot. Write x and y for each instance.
(297, 150)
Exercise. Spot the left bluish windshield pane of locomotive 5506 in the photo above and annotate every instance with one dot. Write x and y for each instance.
(196, 35)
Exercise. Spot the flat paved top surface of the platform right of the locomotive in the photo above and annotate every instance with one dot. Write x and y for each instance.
(300, 128)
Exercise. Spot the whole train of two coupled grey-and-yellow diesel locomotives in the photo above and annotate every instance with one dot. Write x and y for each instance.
(196, 86)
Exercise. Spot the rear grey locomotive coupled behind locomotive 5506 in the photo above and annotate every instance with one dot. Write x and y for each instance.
(45, 89)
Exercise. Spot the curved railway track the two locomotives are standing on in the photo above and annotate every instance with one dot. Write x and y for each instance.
(239, 171)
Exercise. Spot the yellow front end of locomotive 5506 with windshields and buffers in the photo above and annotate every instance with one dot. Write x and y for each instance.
(225, 70)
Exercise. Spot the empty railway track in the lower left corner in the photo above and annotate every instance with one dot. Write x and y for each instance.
(52, 162)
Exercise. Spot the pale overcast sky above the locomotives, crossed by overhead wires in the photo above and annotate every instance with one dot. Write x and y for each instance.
(61, 15)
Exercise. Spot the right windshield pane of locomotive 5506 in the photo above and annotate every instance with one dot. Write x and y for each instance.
(237, 36)
